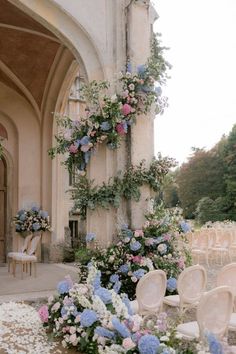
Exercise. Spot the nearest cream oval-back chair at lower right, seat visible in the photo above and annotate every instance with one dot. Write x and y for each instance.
(213, 315)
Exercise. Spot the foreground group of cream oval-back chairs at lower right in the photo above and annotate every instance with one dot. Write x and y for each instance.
(214, 308)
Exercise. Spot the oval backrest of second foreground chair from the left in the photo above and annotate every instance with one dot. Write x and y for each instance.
(191, 284)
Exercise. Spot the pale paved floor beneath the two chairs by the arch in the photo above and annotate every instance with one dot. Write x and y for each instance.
(31, 288)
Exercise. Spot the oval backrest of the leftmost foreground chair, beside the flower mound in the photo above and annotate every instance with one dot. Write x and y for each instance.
(150, 291)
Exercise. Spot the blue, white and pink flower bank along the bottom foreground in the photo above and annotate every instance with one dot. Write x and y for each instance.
(96, 320)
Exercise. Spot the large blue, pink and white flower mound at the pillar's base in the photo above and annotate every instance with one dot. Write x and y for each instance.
(158, 245)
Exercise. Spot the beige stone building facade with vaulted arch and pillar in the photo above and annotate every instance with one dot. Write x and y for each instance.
(47, 48)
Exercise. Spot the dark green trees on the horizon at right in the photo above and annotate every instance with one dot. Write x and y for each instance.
(205, 186)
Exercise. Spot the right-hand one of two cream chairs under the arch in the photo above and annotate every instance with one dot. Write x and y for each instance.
(27, 259)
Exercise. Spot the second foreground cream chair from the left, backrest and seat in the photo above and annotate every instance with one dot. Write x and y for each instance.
(191, 285)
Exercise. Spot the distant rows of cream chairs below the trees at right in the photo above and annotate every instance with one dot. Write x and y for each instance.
(212, 244)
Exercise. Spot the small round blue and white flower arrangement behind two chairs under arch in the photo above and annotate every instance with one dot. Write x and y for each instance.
(31, 220)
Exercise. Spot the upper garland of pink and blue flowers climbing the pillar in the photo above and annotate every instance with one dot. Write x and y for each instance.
(108, 118)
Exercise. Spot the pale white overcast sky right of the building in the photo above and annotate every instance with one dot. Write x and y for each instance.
(201, 35)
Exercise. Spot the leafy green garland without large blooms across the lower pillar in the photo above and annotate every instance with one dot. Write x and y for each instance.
(127, 185)
